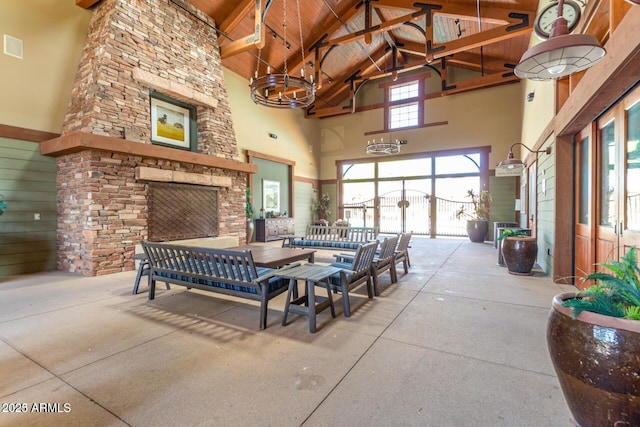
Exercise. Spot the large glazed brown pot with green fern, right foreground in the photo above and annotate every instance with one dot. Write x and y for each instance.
(594, 340)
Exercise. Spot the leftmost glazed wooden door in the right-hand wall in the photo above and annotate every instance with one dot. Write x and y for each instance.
(584, 206)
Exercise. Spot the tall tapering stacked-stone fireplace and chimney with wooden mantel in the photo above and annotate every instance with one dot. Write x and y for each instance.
(106, 160)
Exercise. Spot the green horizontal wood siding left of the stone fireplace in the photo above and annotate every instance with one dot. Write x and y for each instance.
(28, 184)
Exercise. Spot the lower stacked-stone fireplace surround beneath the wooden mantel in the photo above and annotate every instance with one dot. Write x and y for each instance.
(105, 211)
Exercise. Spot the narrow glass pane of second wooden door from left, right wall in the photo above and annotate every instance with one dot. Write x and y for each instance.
(607, 175)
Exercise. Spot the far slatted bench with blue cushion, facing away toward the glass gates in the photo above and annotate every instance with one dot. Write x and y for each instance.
(333, 237)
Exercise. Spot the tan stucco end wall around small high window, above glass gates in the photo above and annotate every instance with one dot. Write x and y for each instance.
(478, 118)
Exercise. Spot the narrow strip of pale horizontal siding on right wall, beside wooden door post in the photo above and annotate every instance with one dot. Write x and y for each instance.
(546, 209)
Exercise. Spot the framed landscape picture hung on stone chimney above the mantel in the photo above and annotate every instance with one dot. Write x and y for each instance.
(173, 123)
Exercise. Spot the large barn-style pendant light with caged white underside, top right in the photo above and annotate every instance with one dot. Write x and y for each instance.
(561, 55)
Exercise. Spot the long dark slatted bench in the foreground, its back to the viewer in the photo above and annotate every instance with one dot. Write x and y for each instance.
(225, 271)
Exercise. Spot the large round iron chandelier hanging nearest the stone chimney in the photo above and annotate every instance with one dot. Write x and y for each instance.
(282, 90)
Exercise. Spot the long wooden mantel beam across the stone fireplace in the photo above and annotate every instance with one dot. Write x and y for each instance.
(80, 141)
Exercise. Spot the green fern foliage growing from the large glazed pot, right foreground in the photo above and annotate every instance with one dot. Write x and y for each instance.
(615, 294)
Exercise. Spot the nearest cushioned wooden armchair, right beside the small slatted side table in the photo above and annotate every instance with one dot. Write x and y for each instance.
(354, 274)
